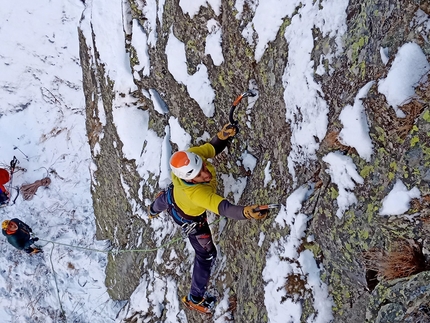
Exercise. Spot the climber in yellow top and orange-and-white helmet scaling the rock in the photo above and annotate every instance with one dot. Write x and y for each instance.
(192, 192)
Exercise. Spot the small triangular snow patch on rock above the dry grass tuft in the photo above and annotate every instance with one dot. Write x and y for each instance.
(398, 200)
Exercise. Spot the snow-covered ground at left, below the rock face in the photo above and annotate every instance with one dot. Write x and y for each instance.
(43, 116)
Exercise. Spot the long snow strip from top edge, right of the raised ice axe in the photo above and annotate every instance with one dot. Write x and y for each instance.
(303, 96)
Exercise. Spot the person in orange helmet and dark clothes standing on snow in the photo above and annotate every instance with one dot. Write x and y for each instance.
(19, 235)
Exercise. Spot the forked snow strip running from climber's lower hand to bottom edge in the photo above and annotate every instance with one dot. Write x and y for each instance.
(284, 258)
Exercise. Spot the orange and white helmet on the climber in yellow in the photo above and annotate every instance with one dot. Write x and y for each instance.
(185, 164)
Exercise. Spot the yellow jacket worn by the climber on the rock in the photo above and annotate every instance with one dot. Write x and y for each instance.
(194, 199)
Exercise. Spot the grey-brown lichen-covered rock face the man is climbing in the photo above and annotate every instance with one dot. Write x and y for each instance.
(401, 150)
